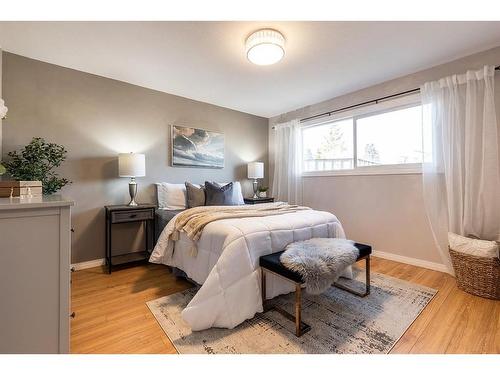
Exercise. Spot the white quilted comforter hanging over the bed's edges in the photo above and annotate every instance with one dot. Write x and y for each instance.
(227, 263)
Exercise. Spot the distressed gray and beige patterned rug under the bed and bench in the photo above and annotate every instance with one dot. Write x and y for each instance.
(341, 322)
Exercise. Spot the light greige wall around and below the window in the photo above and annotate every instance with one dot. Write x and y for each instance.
(386, 211)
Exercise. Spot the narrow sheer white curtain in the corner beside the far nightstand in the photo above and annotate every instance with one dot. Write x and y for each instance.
(287, 181)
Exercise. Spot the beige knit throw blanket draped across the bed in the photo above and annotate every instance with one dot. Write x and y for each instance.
(193, 220)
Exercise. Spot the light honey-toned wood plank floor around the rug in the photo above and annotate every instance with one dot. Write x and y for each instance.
(112, 316)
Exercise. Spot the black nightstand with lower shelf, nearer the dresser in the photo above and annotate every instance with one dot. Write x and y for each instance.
(118, 214)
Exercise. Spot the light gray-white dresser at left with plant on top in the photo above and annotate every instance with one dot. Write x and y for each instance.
(35, 253)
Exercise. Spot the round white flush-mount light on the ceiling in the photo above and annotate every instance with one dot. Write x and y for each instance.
(265, 47)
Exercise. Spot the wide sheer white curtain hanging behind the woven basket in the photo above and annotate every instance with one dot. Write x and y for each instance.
(461, 159)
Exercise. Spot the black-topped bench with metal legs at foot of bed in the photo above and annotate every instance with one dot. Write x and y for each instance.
(271, 263)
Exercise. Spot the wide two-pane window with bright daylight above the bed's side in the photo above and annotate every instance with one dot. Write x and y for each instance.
(365, 142)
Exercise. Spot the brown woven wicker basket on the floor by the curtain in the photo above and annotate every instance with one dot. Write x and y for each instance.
(477, 275)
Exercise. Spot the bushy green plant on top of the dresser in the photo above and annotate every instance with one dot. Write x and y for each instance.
(37, 161)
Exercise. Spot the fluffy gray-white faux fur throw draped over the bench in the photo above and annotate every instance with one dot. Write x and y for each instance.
(320, 261)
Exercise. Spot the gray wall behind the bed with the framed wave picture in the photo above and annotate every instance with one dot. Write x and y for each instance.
(96, 118)
